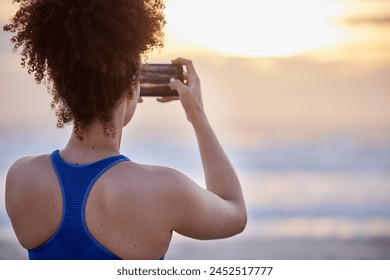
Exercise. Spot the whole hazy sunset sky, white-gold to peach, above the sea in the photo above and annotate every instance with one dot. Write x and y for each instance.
(268, 68)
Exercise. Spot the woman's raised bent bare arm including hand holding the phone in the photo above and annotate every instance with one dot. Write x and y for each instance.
(220, 211)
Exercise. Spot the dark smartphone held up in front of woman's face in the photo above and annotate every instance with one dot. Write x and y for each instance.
(154, 79)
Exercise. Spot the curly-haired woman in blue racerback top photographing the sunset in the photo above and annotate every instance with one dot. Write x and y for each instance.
(86, 201)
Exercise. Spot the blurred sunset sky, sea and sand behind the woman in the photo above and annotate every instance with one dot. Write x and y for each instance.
(298, 93)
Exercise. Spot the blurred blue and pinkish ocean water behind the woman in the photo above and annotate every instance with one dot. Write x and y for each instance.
(336, 187)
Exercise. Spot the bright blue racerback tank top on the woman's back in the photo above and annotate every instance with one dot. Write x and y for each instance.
(72, 240)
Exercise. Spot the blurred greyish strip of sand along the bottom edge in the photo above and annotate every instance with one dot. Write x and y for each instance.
(259, 249)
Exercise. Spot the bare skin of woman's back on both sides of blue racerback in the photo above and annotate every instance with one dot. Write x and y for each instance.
(124, 211)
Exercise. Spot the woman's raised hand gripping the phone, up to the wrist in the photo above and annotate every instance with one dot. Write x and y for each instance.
(190, 94)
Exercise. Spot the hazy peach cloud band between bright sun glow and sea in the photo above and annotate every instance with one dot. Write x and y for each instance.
(248, 100)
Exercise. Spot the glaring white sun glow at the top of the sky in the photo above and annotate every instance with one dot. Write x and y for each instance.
(257, 27)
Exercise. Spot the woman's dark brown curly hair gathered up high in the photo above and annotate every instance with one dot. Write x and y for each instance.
(88, 52)
